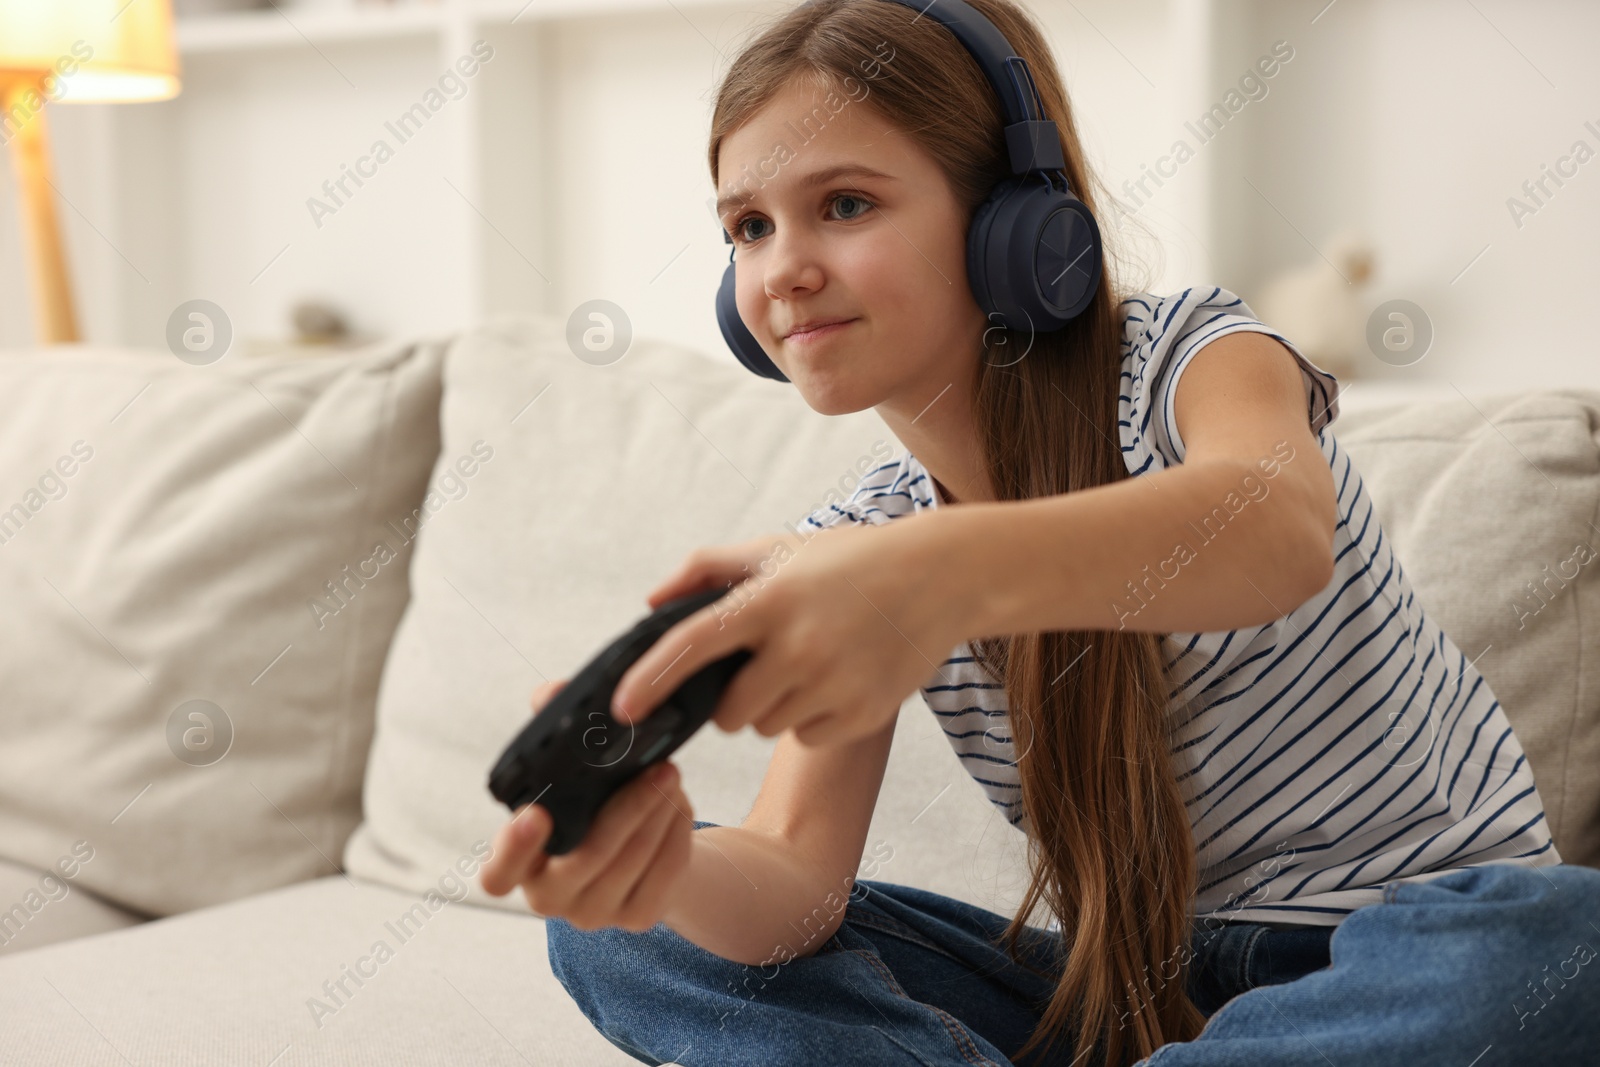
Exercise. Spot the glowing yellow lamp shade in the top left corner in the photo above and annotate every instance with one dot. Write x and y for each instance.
(90, 50)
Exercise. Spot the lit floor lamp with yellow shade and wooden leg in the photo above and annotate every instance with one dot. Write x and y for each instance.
(71, 52)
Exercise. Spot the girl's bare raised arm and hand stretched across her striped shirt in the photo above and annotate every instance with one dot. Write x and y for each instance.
(846, 623)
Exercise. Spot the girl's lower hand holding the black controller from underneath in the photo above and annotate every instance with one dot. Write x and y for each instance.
(626, 868)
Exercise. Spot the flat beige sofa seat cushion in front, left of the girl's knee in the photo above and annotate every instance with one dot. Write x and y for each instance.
(295, 977)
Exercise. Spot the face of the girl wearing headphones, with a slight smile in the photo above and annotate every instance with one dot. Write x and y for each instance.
(838, 217)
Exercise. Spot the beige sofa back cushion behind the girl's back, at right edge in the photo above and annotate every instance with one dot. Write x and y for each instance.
(1492, 503)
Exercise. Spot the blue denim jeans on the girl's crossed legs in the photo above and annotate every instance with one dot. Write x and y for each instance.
(1481, 967)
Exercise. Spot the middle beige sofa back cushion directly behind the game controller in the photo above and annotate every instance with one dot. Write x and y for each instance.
(602, 481)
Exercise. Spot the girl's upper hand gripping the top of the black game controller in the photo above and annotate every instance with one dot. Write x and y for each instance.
(842, 626)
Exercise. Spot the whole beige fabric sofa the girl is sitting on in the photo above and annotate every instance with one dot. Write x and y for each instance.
(270, 621)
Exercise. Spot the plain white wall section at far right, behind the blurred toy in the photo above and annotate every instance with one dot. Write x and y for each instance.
(1417, 121)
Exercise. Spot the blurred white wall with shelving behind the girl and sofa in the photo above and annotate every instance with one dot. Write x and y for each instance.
(582, 148)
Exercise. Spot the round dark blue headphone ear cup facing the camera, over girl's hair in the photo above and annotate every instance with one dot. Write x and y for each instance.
(1033, 255)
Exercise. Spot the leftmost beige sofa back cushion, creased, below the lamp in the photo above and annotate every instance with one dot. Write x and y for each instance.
(191, 650)
